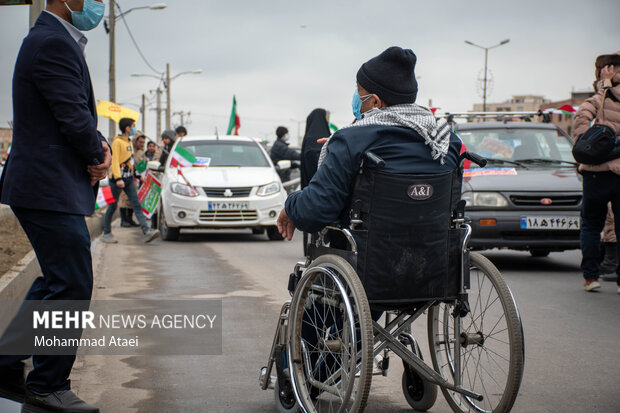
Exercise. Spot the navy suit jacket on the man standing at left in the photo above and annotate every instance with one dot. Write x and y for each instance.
(55, 134)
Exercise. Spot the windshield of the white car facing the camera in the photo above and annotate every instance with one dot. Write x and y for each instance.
(227, 153)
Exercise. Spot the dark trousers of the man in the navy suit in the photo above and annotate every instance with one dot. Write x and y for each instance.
(62, 245)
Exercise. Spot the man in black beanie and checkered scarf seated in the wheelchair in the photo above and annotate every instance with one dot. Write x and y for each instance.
(389, 124)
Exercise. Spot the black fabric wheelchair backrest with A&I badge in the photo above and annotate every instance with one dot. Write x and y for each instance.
(408, 248)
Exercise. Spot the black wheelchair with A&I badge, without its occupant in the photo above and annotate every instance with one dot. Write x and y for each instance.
(402, 254)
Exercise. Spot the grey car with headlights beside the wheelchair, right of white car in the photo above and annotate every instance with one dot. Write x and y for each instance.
(528, 197)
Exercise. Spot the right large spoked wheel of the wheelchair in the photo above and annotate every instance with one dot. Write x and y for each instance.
(491, 340)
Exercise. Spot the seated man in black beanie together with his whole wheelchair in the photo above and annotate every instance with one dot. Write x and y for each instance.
(391, 182)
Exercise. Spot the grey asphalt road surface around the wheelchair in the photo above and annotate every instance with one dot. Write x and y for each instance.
(572, 337)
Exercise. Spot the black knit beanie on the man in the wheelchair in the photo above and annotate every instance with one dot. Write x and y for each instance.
(391, 76)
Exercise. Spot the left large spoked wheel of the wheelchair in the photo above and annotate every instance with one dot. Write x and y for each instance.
(331, 340)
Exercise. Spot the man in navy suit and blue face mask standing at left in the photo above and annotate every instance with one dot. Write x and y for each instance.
(51, 180)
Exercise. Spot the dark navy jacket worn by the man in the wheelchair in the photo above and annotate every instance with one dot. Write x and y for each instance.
(328, 193)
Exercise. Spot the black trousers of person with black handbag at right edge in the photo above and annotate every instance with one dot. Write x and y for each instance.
(599, 188)
